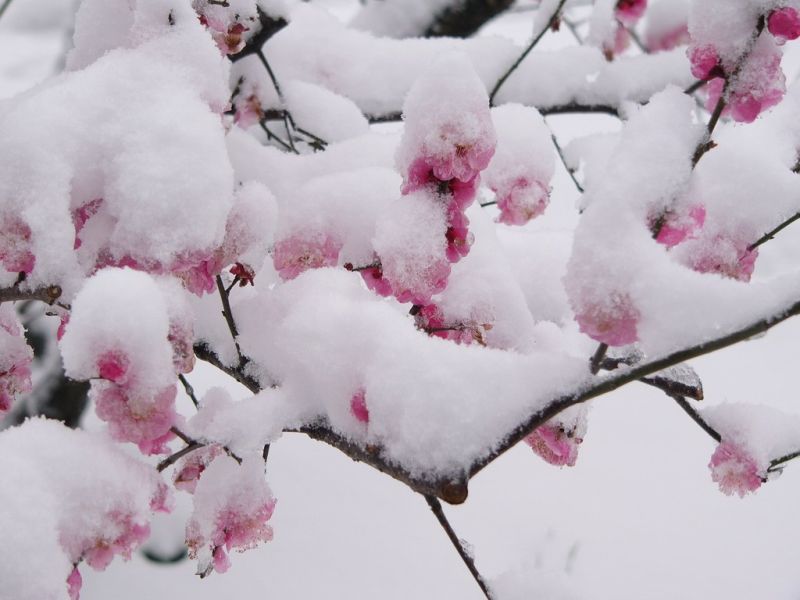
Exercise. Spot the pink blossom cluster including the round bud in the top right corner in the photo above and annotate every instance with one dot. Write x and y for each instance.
(759, 83)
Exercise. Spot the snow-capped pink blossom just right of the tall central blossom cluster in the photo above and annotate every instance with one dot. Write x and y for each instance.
(523, 164)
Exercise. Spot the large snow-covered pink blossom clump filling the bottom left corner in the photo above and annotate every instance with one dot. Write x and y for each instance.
(85, 500)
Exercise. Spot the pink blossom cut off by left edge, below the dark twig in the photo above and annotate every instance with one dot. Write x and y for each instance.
(15, 358)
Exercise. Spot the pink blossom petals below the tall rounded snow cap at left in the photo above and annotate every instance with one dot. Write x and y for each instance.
(137, 417)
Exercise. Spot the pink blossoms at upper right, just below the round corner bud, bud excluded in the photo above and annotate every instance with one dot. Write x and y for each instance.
(759, 84)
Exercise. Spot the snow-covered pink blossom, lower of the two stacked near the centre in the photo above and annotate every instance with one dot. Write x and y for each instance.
(410, 240)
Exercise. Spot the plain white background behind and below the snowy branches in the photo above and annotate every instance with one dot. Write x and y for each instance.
(637, 518)
